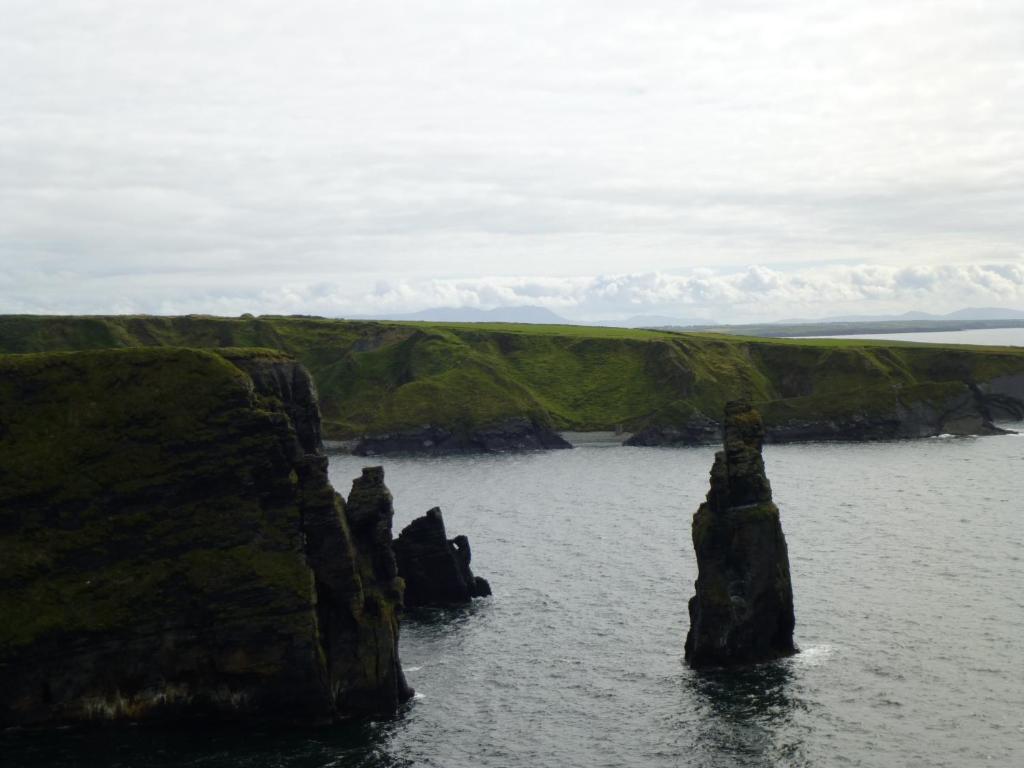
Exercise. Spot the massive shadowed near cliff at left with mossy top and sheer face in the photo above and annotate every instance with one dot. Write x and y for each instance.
(170, 547)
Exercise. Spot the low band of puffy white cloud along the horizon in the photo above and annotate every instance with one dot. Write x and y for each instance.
(754, 294)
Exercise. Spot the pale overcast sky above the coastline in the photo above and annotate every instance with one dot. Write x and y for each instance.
(729, 160)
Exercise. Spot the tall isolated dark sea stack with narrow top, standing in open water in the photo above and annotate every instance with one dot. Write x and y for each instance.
(743, 610)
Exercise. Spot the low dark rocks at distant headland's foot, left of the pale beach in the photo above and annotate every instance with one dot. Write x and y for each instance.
(514, 435)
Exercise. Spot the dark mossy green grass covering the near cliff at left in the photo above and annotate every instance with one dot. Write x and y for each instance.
(110, 456)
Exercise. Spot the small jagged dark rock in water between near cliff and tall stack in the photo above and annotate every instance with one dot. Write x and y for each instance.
(436, 569)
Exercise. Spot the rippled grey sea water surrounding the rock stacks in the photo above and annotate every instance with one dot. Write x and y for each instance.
(908, 565)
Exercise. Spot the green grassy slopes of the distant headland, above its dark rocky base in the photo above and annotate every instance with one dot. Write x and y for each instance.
(375, 377)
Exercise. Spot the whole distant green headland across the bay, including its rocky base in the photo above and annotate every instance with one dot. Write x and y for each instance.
(440, 389)
